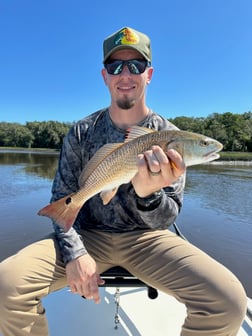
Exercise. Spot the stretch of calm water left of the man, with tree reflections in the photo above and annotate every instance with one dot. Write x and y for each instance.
(25, 183)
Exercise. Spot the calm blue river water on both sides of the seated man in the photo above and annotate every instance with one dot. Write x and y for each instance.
(216, 216)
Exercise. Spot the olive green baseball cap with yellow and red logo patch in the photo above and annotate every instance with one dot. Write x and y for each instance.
(127, 38)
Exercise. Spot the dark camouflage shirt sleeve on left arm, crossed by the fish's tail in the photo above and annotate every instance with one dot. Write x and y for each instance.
(66, 182)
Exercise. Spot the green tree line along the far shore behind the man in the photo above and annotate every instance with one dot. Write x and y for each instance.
(234, 131)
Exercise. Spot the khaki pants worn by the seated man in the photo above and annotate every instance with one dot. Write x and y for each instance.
(215, 300)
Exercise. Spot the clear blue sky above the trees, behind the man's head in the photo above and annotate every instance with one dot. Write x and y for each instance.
(51, 56)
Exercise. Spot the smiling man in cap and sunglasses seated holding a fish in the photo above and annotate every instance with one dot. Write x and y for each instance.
(130, 231)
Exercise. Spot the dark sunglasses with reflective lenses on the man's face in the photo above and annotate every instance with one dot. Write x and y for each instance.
(135, 66)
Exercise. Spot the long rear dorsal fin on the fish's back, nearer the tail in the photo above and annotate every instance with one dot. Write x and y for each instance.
(96, 159)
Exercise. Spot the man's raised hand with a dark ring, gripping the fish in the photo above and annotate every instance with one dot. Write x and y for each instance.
(156, 170)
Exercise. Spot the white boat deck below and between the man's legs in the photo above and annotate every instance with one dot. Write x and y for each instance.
(69, 314)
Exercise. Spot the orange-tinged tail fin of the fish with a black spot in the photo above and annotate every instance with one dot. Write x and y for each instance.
(63, 212)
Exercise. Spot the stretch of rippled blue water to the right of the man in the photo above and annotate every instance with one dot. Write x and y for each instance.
(217, 216)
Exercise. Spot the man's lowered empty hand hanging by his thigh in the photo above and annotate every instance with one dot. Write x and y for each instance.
(83, 278)
